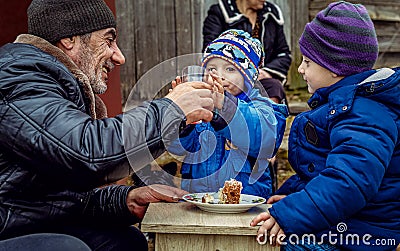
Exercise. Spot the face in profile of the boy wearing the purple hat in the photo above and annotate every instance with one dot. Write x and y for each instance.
(315, 75)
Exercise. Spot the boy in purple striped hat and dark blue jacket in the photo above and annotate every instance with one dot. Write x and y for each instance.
(346, 149)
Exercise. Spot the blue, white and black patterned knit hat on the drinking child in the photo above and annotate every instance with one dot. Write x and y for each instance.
(240, 49)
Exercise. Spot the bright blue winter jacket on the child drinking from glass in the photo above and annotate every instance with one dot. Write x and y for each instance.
(239, 149)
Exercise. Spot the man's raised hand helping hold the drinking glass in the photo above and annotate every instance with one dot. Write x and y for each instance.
(195, 99)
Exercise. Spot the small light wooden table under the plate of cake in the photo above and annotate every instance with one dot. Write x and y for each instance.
(183, 226)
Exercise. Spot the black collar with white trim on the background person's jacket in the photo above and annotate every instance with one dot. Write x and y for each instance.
(232, 14)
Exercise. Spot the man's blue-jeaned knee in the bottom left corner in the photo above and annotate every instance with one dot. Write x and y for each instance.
(44, 242)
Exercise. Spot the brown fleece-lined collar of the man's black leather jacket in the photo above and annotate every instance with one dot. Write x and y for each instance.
(97, 107)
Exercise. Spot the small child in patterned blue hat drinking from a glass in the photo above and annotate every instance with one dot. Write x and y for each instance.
(247, 129)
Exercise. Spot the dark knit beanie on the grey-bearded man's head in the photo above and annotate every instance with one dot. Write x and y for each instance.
(57, 19)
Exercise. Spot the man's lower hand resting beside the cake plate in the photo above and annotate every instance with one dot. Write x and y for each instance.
(138, 199)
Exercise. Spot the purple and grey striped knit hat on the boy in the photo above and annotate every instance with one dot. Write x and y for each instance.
(341, 38)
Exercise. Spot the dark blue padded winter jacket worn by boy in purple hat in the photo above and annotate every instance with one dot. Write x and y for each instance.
(346, 153)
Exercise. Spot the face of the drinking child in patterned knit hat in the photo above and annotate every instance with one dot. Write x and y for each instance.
(233, 80)
